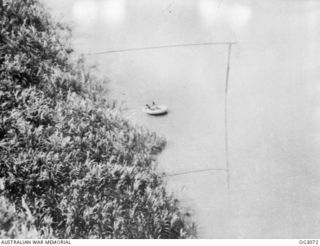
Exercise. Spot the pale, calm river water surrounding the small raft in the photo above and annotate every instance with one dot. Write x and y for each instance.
(273, 102)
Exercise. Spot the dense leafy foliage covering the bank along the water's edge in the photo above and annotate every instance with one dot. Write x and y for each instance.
(70, 165)
